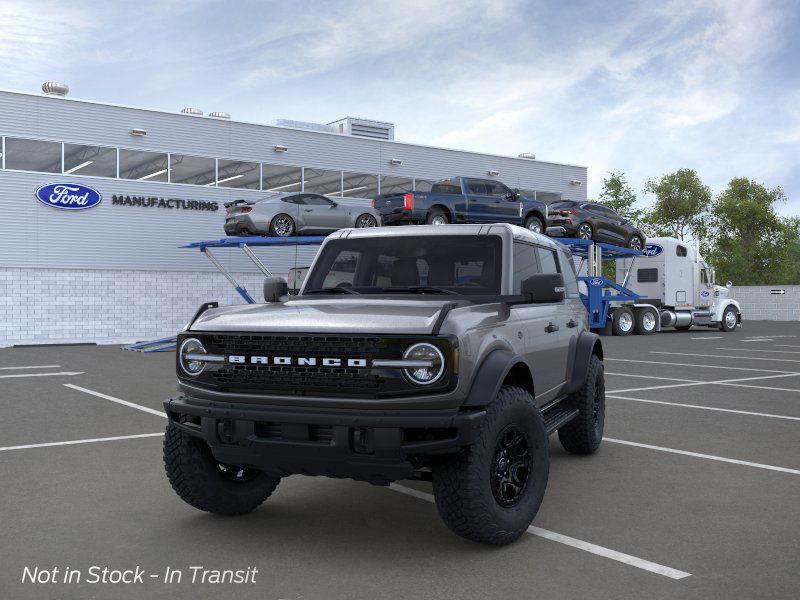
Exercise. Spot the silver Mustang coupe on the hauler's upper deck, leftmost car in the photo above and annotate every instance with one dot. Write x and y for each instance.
(296, 213)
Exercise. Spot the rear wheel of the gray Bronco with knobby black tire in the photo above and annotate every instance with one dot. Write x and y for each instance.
(584, 433)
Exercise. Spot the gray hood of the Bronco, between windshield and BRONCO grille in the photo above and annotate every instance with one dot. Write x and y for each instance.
(326, 315)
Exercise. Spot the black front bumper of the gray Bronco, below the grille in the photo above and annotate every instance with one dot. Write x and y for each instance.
(379, 446)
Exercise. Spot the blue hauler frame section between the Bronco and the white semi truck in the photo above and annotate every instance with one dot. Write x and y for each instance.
(601, 290)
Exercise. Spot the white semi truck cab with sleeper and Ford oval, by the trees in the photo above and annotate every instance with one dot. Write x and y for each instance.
(672, 277)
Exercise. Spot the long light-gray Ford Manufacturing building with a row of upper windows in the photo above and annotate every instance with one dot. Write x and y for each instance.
(116, 272)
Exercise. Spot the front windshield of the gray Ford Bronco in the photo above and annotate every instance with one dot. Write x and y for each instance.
(437, 264)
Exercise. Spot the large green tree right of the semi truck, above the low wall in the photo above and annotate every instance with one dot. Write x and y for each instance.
(750, 243)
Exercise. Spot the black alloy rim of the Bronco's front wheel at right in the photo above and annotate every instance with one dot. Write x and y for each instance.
(511, 466)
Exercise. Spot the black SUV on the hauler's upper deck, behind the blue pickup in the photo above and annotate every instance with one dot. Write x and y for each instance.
(593, 221)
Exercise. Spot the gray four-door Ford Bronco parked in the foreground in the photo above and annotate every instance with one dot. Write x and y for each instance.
(443, 353)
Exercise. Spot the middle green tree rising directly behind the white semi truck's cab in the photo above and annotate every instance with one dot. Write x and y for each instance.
(681, 205)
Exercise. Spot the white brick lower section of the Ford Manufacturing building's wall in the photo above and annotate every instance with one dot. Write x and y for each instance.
(48, 306)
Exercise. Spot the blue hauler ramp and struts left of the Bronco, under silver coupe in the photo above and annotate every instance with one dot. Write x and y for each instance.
(244, 243)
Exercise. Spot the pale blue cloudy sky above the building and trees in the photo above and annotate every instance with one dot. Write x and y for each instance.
(641, 87)
